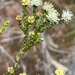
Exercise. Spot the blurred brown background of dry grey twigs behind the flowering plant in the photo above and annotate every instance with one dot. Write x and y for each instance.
(57, 49)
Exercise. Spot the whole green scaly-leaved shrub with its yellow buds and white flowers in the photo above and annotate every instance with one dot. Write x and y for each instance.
(48, 19)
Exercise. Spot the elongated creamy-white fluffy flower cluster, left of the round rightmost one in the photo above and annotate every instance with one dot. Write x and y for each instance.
(52, 13)
